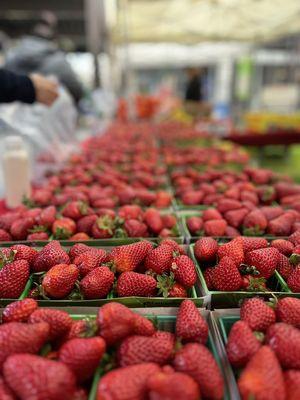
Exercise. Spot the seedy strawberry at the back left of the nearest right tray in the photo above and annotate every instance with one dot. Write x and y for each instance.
(258, 314)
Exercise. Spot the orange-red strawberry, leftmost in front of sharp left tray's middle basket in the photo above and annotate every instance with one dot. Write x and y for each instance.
(60, 280)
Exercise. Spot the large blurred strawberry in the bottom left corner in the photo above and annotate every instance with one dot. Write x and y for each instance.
(34, 377)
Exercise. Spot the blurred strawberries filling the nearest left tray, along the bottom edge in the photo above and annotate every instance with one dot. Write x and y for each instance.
(47, 355)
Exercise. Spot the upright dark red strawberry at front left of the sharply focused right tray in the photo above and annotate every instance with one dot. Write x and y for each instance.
(226, 276)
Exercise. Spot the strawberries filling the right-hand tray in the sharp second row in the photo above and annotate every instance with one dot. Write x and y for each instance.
(249, 263)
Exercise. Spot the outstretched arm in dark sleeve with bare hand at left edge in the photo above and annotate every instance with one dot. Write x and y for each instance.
(27, 89)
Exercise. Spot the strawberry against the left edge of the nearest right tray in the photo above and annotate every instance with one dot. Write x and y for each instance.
(242, 344)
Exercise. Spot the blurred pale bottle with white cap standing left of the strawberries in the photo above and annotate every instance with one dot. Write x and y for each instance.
(16, 171)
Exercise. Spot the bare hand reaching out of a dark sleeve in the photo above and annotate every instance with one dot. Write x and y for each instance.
(46, 91)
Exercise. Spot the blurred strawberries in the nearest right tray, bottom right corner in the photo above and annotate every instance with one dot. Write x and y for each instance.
(265, 344)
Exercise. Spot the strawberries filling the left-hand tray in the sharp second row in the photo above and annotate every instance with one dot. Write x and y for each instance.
(136, 269)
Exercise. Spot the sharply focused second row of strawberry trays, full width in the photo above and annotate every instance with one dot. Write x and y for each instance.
(213, 273)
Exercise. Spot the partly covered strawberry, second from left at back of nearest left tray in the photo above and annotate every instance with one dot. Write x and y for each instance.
(59, 321)
